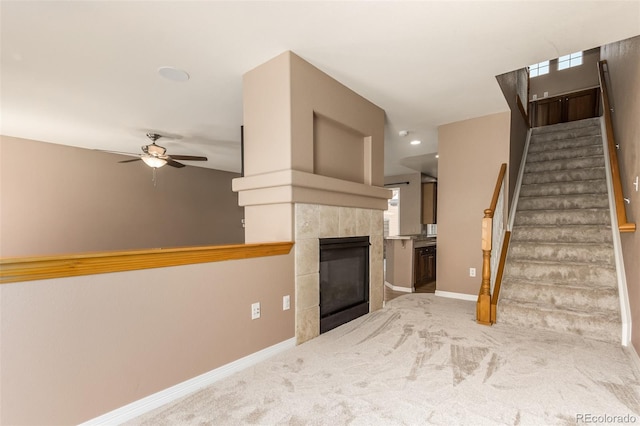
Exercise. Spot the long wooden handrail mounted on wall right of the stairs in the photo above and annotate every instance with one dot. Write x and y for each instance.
(621, 214)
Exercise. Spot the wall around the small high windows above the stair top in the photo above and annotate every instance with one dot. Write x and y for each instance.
(567, 80)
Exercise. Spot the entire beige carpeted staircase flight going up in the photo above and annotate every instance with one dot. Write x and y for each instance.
(560, 270)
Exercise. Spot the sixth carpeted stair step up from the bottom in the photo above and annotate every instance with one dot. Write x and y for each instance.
(563, 217)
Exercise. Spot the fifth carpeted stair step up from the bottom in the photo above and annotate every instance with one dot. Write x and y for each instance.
(569, 234)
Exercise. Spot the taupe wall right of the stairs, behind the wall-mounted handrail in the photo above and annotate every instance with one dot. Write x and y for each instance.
(624, 67)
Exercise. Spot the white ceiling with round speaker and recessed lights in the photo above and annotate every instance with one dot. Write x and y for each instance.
(84, 73)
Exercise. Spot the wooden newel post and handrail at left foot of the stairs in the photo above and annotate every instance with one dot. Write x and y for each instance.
(484, 306)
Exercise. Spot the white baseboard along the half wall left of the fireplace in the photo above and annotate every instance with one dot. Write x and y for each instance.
(144, 405)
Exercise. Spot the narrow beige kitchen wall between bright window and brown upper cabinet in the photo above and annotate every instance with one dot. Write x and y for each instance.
(410, 201)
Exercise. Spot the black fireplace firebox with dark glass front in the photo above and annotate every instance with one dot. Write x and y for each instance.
(344, 280)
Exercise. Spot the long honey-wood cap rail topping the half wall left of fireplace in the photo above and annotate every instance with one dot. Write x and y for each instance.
(19, 269)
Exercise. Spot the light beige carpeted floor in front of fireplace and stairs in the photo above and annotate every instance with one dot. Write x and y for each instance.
(422, 360)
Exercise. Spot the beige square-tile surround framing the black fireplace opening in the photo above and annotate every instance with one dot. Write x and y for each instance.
(314, 221)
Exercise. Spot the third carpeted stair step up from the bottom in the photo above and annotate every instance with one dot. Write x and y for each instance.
(565, 273)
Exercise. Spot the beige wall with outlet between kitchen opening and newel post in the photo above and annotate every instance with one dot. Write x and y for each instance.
(471, 152)
